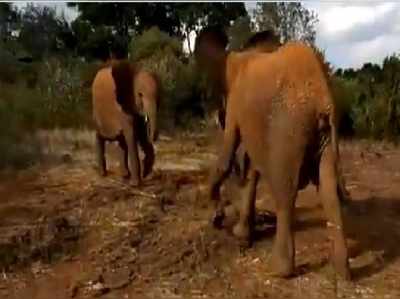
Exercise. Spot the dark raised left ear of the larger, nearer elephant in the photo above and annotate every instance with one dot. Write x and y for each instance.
(210, 51)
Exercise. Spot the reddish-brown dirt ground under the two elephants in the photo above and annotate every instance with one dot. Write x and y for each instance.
(67, 233)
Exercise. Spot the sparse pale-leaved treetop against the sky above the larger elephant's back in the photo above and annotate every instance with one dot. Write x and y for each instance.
(290, 19)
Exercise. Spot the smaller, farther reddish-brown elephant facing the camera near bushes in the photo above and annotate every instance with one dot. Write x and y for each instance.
(125, 105)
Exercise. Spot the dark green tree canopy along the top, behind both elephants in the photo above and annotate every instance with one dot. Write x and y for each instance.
(127, 20)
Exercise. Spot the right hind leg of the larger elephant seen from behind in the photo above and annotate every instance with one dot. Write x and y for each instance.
(330, 200)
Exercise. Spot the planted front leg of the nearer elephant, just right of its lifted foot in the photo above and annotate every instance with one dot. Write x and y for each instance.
(244, 229)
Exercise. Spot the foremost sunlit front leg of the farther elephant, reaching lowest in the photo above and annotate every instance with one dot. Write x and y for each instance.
(133, 153)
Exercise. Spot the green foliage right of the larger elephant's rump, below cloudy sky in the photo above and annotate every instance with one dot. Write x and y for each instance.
(372, 98)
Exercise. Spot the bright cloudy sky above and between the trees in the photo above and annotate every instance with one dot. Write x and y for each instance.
(350, 32)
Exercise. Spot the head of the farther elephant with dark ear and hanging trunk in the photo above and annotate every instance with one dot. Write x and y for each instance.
(138, 93)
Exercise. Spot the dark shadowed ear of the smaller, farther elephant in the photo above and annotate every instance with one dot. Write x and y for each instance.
(123, 74)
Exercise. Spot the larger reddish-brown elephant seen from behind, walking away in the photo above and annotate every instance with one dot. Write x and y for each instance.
(280, 107)
